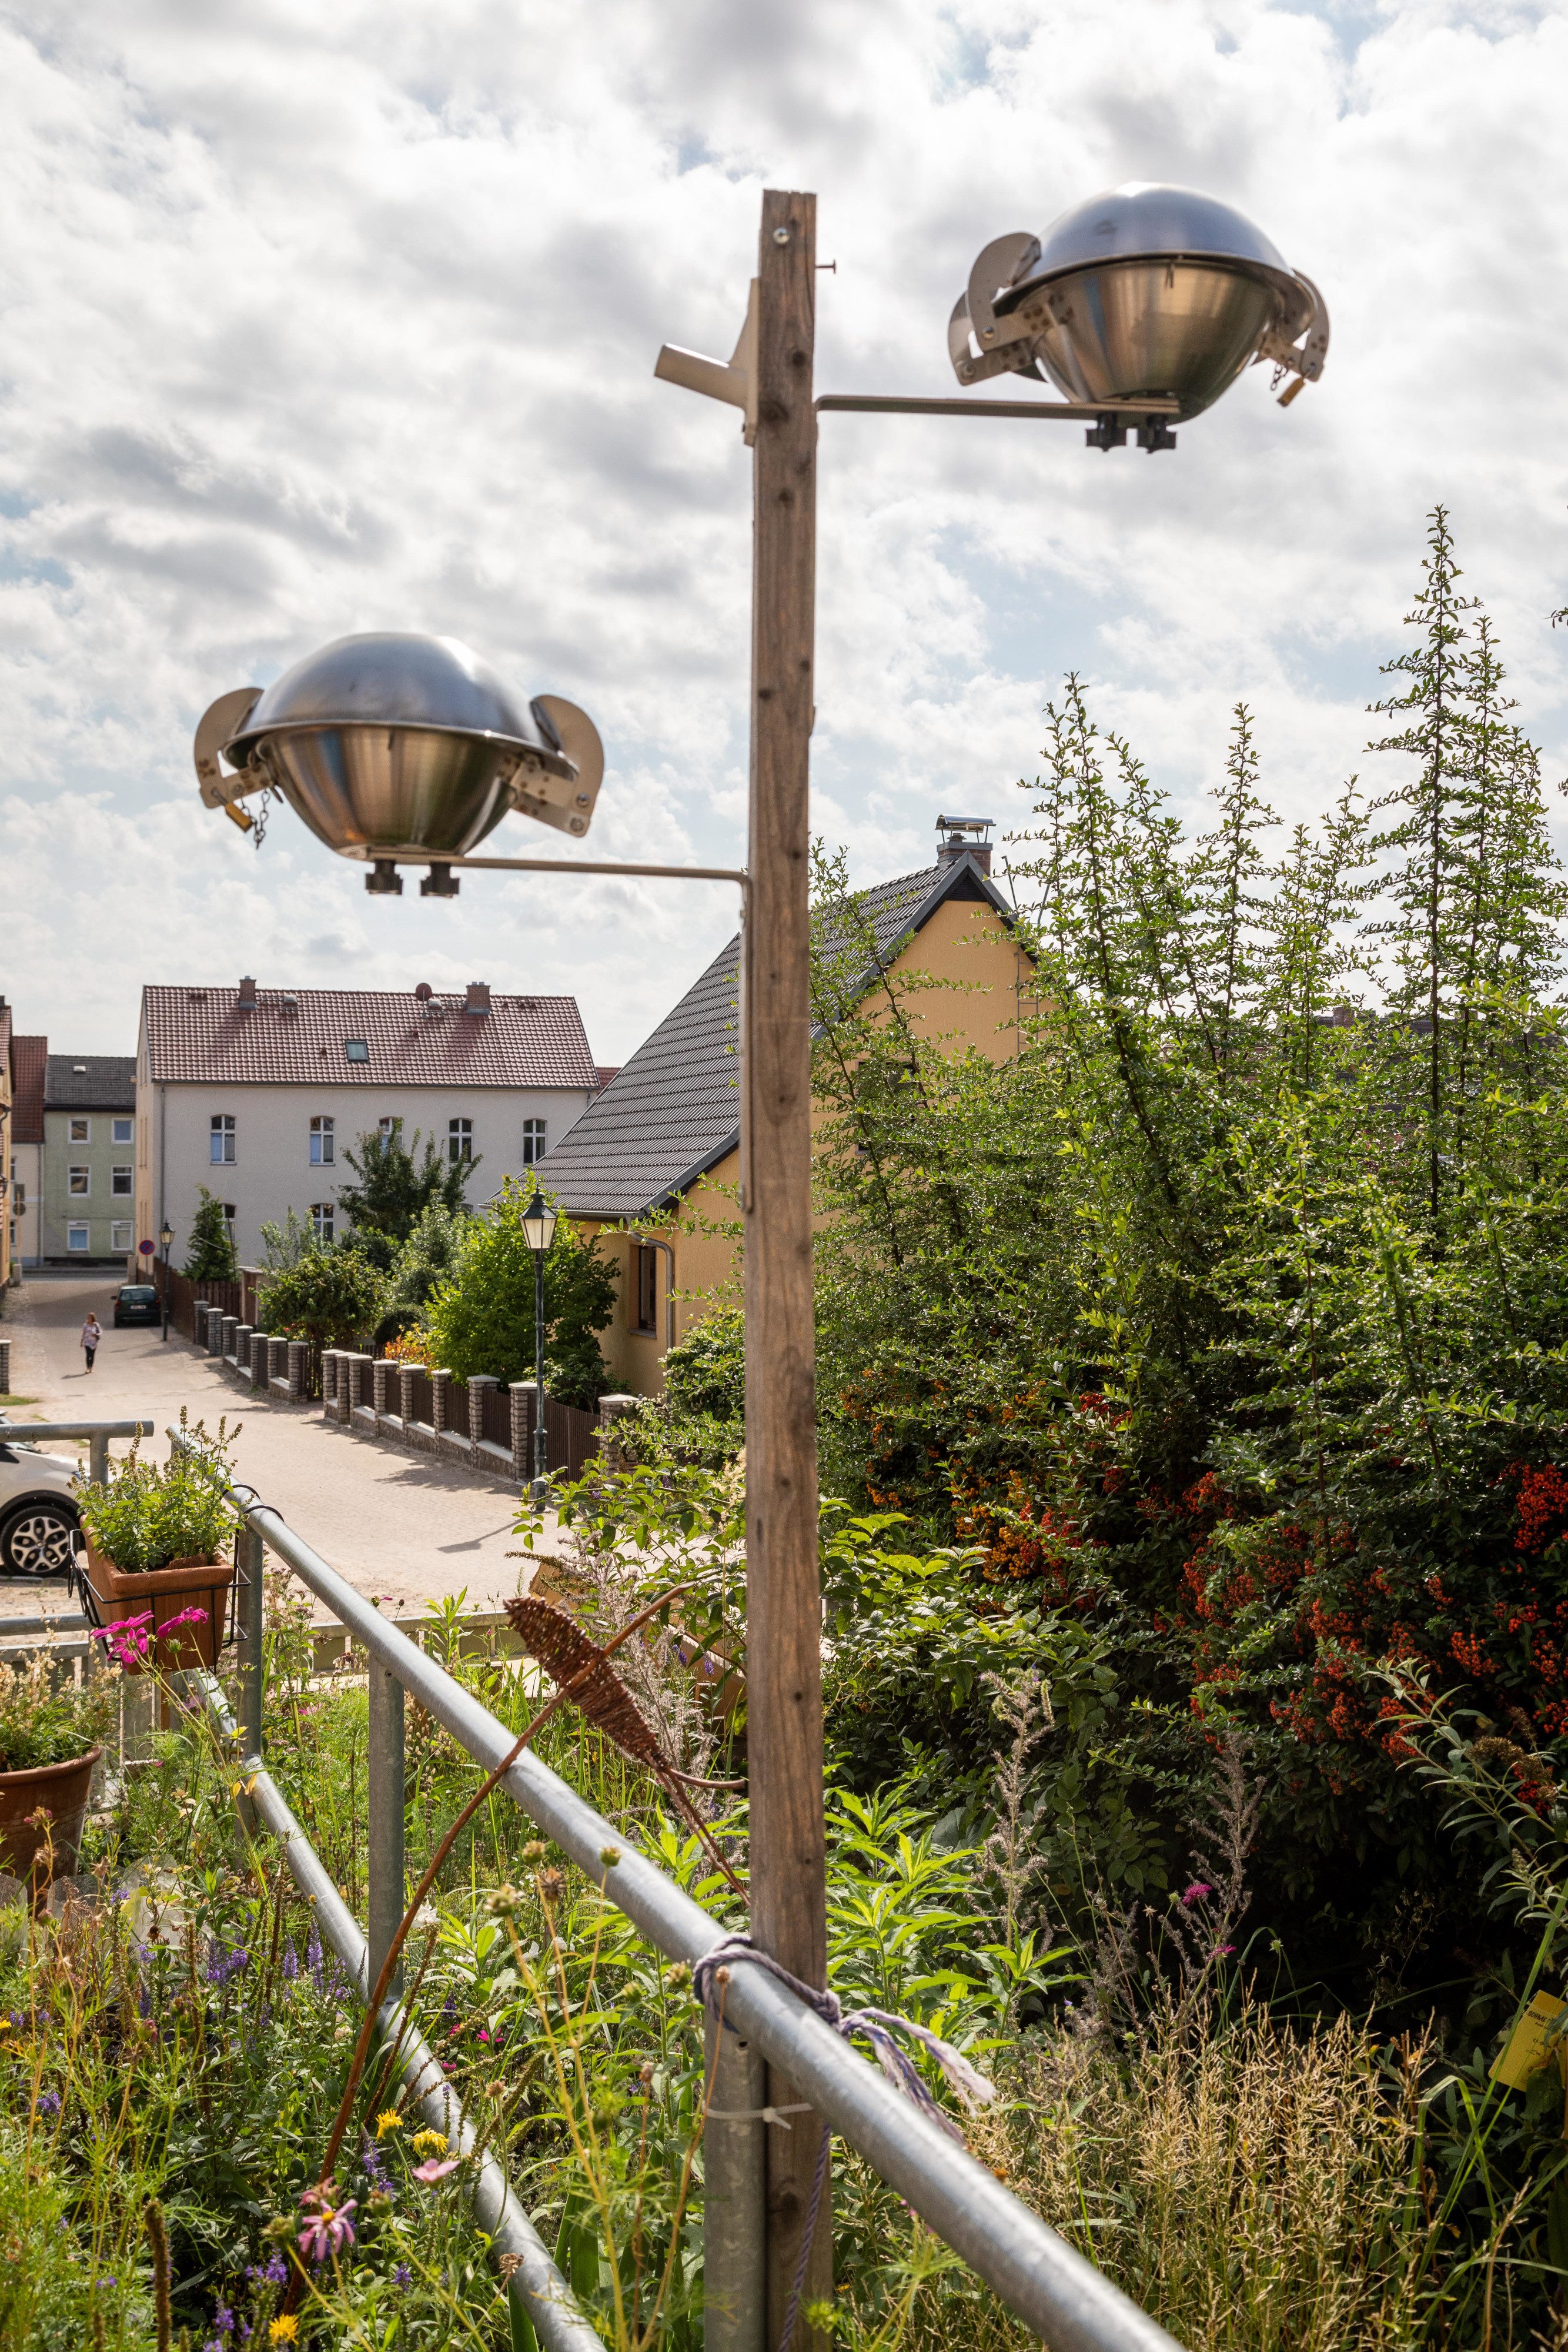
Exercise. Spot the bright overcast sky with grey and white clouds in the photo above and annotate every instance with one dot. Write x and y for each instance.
(342, 316)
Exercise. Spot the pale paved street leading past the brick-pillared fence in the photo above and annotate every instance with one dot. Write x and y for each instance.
(394, 1523)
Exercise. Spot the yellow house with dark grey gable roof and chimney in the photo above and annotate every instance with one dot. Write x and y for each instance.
(652, 1165)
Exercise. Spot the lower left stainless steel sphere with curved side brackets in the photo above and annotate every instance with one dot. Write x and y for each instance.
(403, 747)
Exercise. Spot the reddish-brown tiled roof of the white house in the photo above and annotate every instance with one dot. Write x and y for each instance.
(199, 1036)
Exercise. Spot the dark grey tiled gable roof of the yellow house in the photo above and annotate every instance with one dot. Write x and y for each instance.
(671, 1111)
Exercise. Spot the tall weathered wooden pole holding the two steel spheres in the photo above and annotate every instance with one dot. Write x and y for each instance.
(782, 1504)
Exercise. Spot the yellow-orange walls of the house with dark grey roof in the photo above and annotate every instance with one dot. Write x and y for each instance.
(984, 991)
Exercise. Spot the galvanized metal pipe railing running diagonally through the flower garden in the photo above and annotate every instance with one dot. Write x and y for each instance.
(1024, 2261)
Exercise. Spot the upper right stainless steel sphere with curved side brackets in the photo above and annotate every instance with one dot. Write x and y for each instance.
(1144, 290)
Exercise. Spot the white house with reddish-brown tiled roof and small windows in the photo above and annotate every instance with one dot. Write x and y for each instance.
(260, 1093)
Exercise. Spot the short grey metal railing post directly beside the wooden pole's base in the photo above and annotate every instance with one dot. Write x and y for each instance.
(735, 2198)
